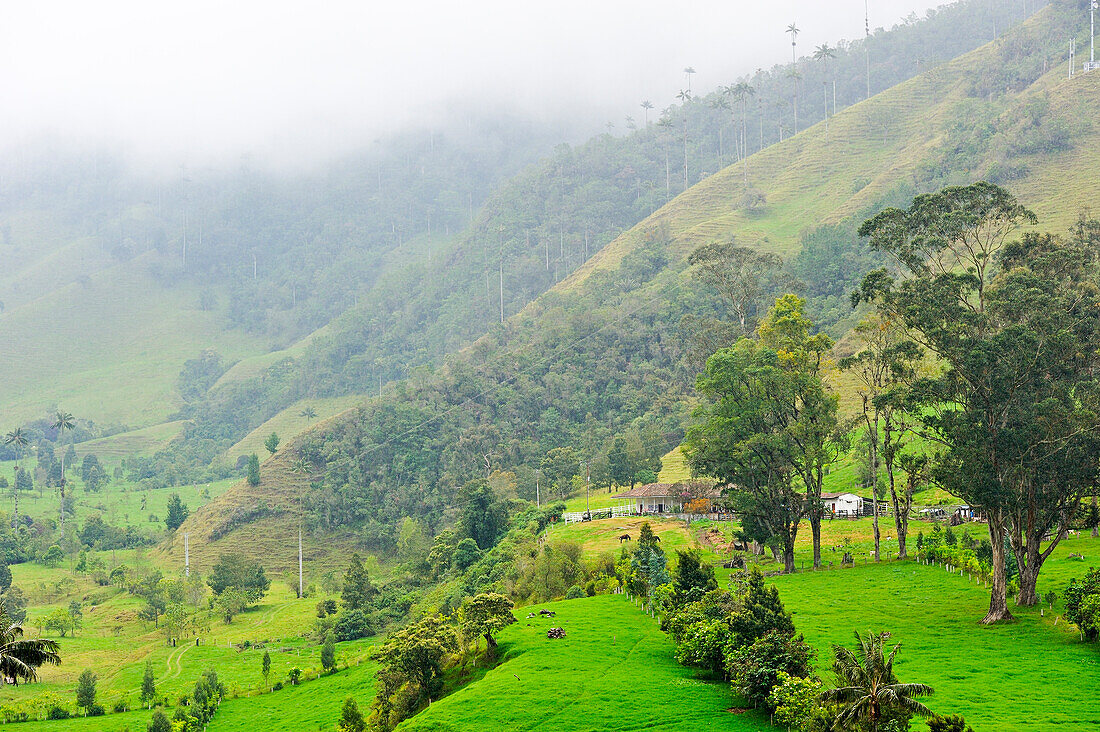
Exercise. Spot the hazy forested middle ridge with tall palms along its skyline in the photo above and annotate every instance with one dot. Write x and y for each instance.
(557, 214)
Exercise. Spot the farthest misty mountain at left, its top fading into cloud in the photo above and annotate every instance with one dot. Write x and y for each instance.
(244, 263)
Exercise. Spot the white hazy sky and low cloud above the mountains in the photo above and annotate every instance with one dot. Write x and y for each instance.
(208, 81)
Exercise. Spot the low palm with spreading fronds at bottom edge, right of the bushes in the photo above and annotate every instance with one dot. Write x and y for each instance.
(868, 692)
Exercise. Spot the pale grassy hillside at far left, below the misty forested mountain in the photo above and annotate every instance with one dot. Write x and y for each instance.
(108, 349)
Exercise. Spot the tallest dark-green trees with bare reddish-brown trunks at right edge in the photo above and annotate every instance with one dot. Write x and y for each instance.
(1018, 329)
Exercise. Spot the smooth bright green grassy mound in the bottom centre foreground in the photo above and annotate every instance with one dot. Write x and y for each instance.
(613, 671)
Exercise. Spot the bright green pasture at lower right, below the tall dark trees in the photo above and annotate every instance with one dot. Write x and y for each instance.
(1030, 675)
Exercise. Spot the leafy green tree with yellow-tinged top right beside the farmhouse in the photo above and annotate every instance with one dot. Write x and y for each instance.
(769, 423)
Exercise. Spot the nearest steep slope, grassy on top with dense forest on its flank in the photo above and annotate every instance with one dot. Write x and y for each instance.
(604, 353)
